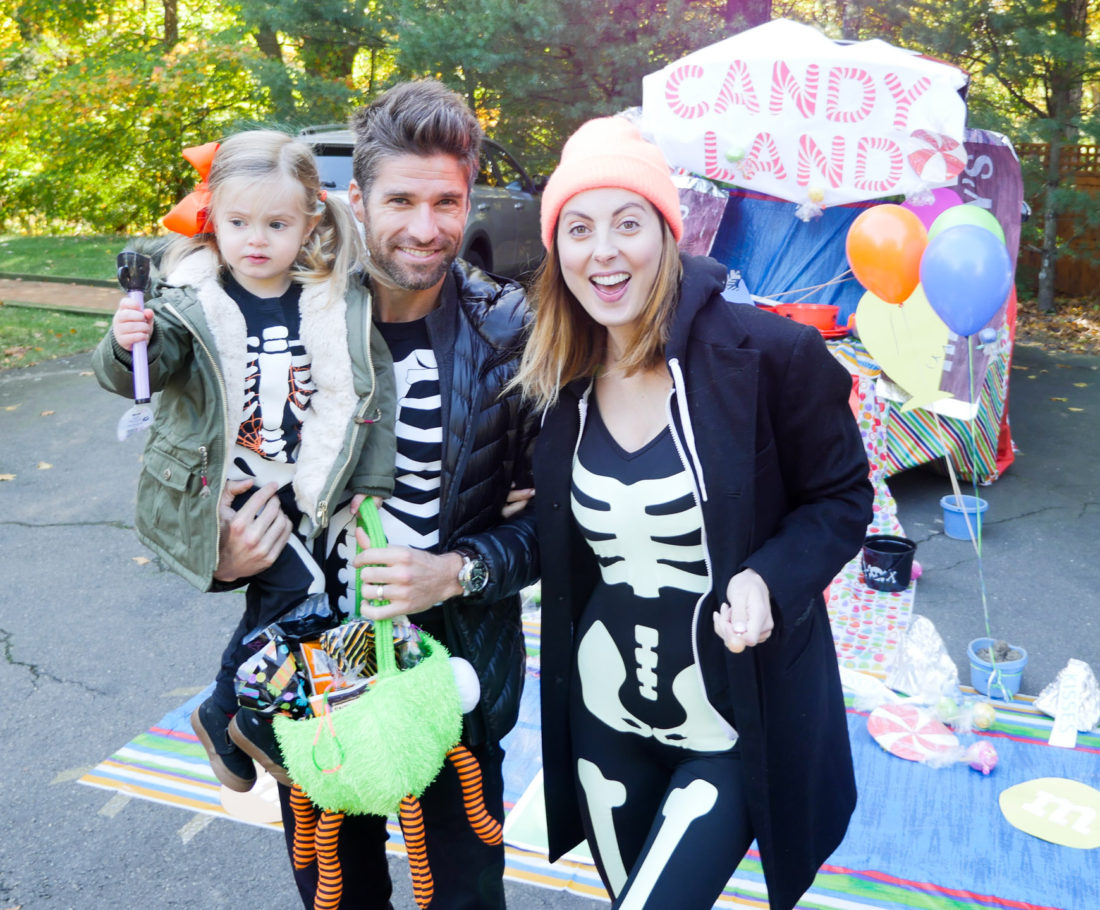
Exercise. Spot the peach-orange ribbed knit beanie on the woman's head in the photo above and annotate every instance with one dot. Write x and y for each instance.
(610, 152)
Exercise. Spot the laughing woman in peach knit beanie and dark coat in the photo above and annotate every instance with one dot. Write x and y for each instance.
(700, 480)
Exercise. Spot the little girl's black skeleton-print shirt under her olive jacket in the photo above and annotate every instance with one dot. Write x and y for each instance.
(278, 386)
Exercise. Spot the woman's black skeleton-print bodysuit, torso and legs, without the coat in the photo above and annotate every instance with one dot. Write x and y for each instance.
(658, 774)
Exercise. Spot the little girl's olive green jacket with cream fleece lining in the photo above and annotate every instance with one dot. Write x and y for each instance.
(196, 361)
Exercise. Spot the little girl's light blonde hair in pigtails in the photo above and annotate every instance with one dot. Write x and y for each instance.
(331, 251)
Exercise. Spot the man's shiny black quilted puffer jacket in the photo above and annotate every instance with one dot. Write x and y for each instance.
(478, 334)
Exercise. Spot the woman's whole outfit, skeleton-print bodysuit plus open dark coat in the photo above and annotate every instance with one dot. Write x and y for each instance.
(663, 749)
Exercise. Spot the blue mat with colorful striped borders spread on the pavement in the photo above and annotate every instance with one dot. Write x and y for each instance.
(922, 839)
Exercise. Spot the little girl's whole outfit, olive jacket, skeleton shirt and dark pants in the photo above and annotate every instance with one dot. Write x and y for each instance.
(296, 390)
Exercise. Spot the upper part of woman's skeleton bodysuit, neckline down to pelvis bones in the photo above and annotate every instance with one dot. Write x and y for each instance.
(635, 659)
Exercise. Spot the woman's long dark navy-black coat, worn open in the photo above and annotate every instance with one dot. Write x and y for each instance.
(762, 416)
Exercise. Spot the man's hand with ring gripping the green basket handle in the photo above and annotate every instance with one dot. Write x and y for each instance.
(412, 580)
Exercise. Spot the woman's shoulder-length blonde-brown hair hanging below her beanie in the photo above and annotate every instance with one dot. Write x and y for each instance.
(566, 344)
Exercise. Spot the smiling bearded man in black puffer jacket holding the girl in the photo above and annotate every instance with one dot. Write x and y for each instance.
(454, 563)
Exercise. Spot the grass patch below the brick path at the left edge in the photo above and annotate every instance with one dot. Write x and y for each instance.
(30, 335)
